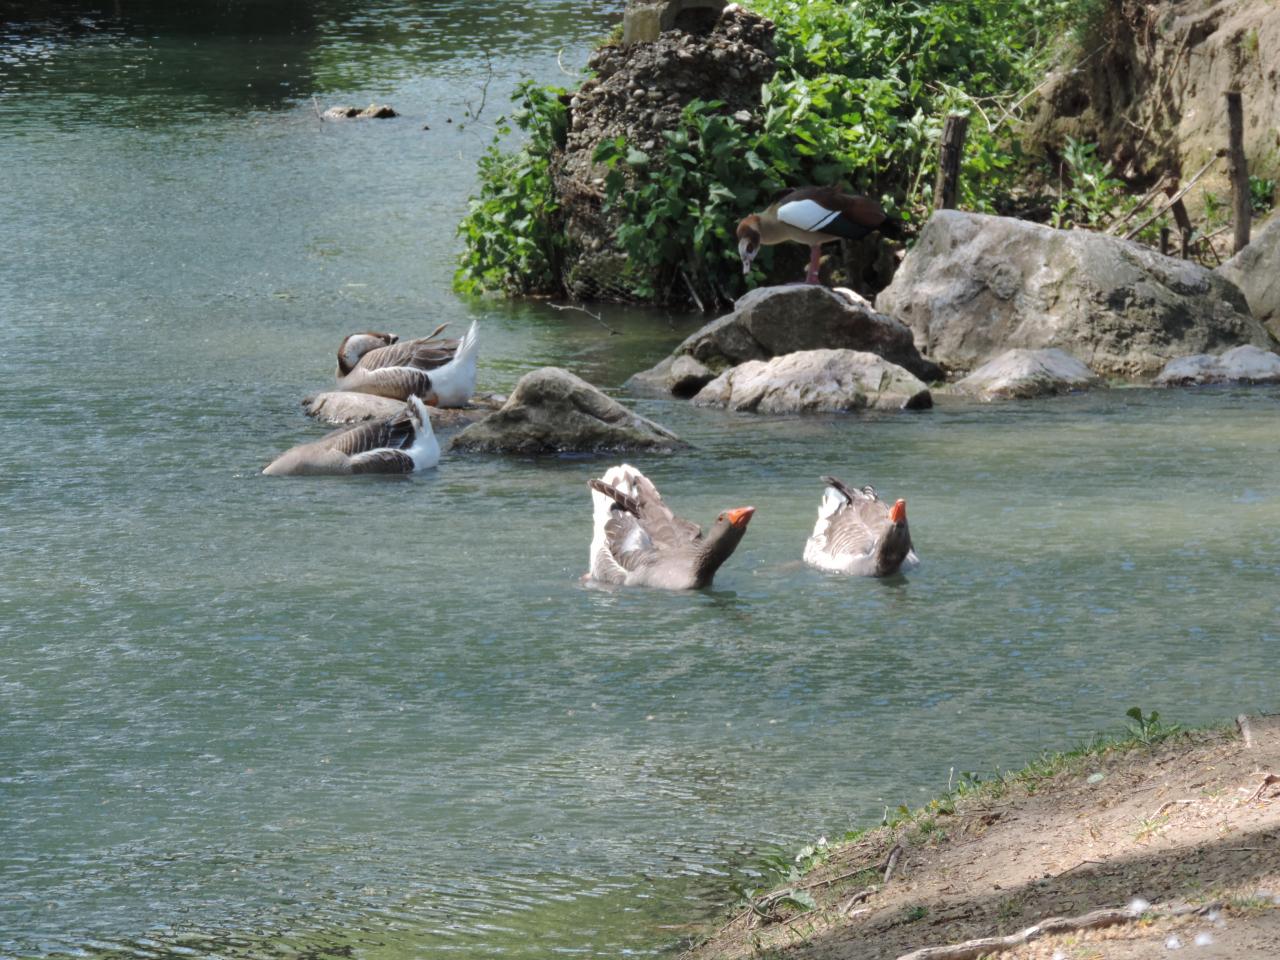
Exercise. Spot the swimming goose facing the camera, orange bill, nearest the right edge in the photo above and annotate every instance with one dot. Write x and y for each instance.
(857, 533)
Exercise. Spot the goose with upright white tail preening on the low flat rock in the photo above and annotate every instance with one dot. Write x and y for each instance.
(441, 372)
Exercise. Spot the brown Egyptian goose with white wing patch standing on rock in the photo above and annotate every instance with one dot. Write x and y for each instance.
(812, 216)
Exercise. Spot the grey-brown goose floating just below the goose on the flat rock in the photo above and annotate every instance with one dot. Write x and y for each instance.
(399, 445)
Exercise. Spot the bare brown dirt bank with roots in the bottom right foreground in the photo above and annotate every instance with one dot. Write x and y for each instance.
(1188, 829)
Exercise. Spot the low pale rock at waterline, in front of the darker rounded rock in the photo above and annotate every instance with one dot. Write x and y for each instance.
(817, 381)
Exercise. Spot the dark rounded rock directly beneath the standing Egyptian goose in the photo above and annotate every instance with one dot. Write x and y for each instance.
(771, 322)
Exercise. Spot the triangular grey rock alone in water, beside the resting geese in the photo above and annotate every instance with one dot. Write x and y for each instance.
(554, 412)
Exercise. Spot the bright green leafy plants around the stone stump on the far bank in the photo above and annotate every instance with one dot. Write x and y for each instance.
(860, 99)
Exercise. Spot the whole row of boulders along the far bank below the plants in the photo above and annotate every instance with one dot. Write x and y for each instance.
(989, 308)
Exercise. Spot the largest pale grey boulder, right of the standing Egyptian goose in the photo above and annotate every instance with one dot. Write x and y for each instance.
(976, 286)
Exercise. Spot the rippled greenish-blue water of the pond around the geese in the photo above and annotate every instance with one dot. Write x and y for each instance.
(249, 717)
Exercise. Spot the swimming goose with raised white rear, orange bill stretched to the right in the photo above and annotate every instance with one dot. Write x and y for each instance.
(638, 541)
